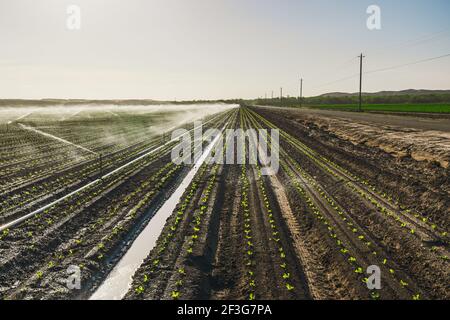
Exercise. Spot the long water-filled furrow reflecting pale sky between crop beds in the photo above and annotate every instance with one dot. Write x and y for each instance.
(120, 279)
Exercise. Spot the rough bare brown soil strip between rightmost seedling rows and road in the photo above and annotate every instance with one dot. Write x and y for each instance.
(381, 169)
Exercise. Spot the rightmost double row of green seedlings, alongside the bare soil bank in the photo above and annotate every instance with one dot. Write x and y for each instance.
(319, 160)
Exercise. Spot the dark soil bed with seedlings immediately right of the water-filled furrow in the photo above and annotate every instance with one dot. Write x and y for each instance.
(178, 267)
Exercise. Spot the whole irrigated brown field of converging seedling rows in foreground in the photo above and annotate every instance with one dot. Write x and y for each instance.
(96, 189)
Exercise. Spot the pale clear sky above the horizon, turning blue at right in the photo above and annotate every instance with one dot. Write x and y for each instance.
(213, 49)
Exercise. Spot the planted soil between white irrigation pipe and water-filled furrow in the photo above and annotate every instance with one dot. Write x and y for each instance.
(89, 232)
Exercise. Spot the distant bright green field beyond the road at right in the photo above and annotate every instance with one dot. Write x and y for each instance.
(425, 108)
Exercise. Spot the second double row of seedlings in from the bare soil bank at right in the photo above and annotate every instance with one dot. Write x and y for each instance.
(343, 215)
